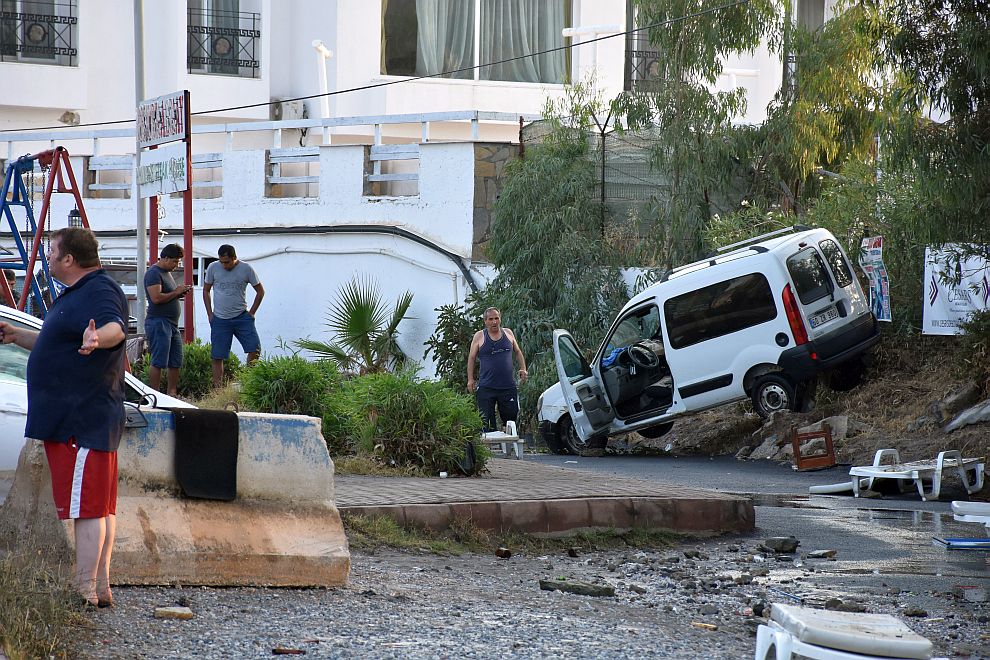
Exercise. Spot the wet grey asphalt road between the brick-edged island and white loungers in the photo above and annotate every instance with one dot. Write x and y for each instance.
(888, 537)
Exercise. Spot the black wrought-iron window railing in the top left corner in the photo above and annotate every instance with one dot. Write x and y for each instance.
(39, 32)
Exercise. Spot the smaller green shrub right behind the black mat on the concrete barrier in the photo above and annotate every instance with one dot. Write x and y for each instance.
(288, 385)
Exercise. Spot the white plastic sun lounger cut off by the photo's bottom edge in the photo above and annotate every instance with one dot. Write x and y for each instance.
(827, 635)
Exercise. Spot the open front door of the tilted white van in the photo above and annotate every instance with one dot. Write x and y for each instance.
(591, 413)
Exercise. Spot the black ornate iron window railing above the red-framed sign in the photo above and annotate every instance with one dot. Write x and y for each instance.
(224, 43)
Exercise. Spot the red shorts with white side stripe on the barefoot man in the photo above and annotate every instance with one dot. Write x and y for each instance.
(84, 481)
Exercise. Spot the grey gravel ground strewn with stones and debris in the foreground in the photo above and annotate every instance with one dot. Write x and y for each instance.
(407, 605)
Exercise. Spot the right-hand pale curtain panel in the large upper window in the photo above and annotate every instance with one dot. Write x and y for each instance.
(510, 28)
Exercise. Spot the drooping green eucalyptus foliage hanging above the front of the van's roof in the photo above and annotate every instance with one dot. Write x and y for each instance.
(697, 147)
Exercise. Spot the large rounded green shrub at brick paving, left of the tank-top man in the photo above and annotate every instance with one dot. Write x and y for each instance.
(406, 422)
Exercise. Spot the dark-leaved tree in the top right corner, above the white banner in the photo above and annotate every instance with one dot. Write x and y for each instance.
(941, 52)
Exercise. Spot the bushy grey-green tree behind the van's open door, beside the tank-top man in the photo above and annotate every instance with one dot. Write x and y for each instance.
(556, 268)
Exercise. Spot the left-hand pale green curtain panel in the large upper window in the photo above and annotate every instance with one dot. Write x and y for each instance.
(445, 39)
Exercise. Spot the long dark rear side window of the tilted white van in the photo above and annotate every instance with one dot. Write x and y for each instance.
(719, 309)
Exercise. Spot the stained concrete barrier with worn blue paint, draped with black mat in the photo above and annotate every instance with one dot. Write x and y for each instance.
(282, 530)
